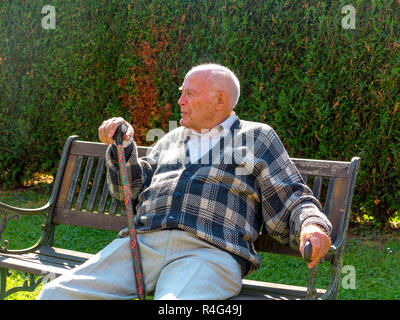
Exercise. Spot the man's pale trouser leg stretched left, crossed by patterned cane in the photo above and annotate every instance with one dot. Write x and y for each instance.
(107, 275)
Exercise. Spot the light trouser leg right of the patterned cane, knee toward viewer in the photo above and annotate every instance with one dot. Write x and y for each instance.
(196, 270)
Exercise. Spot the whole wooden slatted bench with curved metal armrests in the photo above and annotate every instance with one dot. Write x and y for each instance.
(80, 197)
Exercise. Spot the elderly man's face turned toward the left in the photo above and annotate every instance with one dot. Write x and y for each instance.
(197, 102)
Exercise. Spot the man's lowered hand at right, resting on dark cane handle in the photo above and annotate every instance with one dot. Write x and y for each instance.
(320, 242)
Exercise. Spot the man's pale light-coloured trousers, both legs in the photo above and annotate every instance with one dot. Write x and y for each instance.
(176, 265)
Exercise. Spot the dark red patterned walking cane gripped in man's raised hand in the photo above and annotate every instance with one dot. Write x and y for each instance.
(137, 268)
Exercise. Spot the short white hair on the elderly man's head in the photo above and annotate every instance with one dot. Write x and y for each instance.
(222, 78)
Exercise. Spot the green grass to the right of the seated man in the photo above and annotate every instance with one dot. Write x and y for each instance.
(377, 270)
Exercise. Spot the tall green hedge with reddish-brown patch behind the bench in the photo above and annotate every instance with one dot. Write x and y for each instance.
(329, 92)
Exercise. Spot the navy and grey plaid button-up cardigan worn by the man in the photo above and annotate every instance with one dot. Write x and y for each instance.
(245, 180)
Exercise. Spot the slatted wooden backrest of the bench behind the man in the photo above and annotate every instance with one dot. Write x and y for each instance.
(81, 198)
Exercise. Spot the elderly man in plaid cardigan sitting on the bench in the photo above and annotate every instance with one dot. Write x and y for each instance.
(202, 195)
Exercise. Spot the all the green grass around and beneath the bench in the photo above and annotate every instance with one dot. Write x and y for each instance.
(376, 259)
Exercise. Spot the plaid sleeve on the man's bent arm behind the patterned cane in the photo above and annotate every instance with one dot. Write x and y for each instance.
(140, 170)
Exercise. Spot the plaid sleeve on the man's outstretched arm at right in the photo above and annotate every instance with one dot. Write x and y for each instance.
(288, 204)
